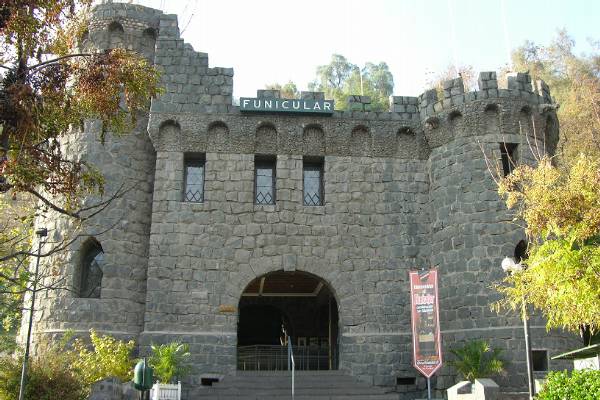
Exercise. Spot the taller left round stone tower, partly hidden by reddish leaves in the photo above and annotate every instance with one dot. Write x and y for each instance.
(101, 276)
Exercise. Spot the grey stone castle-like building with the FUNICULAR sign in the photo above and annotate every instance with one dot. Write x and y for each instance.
(234, 224)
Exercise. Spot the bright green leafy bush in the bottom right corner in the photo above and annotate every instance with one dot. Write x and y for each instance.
(577, 385)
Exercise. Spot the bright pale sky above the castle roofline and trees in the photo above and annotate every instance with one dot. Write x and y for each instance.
(268, 41)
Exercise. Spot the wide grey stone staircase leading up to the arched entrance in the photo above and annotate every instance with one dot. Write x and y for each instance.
(309, 385)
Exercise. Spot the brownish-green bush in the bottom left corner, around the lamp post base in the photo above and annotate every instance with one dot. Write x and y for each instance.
(50, 377)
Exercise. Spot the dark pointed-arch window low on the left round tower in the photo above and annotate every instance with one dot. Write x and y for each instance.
(90, 269)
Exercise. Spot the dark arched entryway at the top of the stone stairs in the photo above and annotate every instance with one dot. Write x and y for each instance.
(282, 307)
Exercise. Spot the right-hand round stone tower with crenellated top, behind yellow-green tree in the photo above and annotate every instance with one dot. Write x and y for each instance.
(475, 137)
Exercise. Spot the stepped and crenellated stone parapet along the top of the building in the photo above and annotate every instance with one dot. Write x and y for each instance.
(192, 87)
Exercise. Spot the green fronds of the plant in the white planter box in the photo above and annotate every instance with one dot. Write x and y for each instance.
(170, 361)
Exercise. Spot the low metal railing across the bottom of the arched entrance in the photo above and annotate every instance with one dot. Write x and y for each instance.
(276, 358)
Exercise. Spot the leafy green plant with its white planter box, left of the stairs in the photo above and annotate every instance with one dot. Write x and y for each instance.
(170, 363)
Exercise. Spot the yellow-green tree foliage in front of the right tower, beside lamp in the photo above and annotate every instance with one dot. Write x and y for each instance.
(561, 208)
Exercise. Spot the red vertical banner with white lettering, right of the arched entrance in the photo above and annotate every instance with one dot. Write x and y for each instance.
(427, 341)
